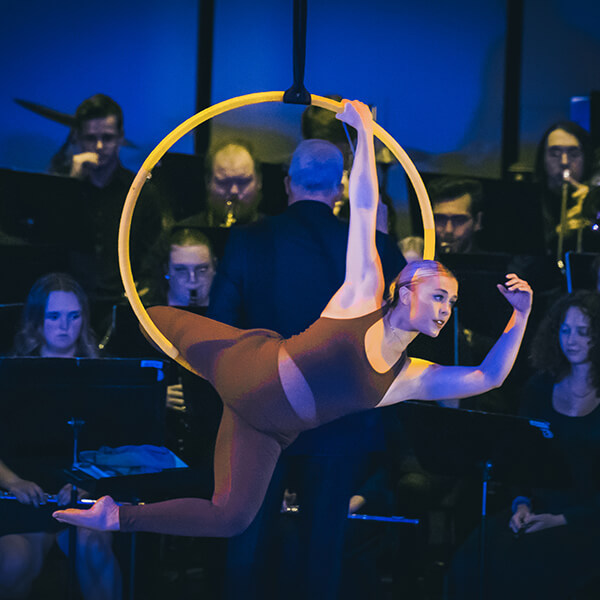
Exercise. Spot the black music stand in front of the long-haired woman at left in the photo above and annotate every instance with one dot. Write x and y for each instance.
(122, 401)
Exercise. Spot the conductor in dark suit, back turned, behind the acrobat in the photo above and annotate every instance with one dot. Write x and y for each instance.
(279, 274)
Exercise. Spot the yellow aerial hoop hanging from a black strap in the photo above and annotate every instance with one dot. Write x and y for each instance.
(213, 111)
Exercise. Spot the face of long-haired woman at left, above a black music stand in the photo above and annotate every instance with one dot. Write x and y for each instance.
(62, 324)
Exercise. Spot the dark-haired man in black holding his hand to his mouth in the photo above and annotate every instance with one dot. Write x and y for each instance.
(92, 155)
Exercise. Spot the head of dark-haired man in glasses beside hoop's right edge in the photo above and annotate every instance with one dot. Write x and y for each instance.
(457, 213)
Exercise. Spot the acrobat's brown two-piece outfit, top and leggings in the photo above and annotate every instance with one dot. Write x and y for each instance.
(258, 420)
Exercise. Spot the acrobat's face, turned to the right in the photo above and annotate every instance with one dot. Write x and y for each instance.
(431, 303)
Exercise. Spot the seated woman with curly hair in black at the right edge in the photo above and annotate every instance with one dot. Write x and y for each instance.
(547, 547)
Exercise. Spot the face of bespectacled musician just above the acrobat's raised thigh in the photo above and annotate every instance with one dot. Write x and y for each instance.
(191, 273)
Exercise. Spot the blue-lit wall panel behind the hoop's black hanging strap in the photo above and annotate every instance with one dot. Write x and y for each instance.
(433, 69)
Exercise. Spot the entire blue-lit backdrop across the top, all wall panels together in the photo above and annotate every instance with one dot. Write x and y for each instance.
(434, 70)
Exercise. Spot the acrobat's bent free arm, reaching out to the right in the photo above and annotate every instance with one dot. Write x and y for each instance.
(423, 380)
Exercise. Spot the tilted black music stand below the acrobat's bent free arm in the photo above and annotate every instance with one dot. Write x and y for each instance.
(484, 446)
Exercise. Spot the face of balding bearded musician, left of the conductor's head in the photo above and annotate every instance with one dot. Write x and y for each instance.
(233, 183)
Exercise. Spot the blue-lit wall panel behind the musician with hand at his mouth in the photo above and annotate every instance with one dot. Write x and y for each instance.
(142, 53)
